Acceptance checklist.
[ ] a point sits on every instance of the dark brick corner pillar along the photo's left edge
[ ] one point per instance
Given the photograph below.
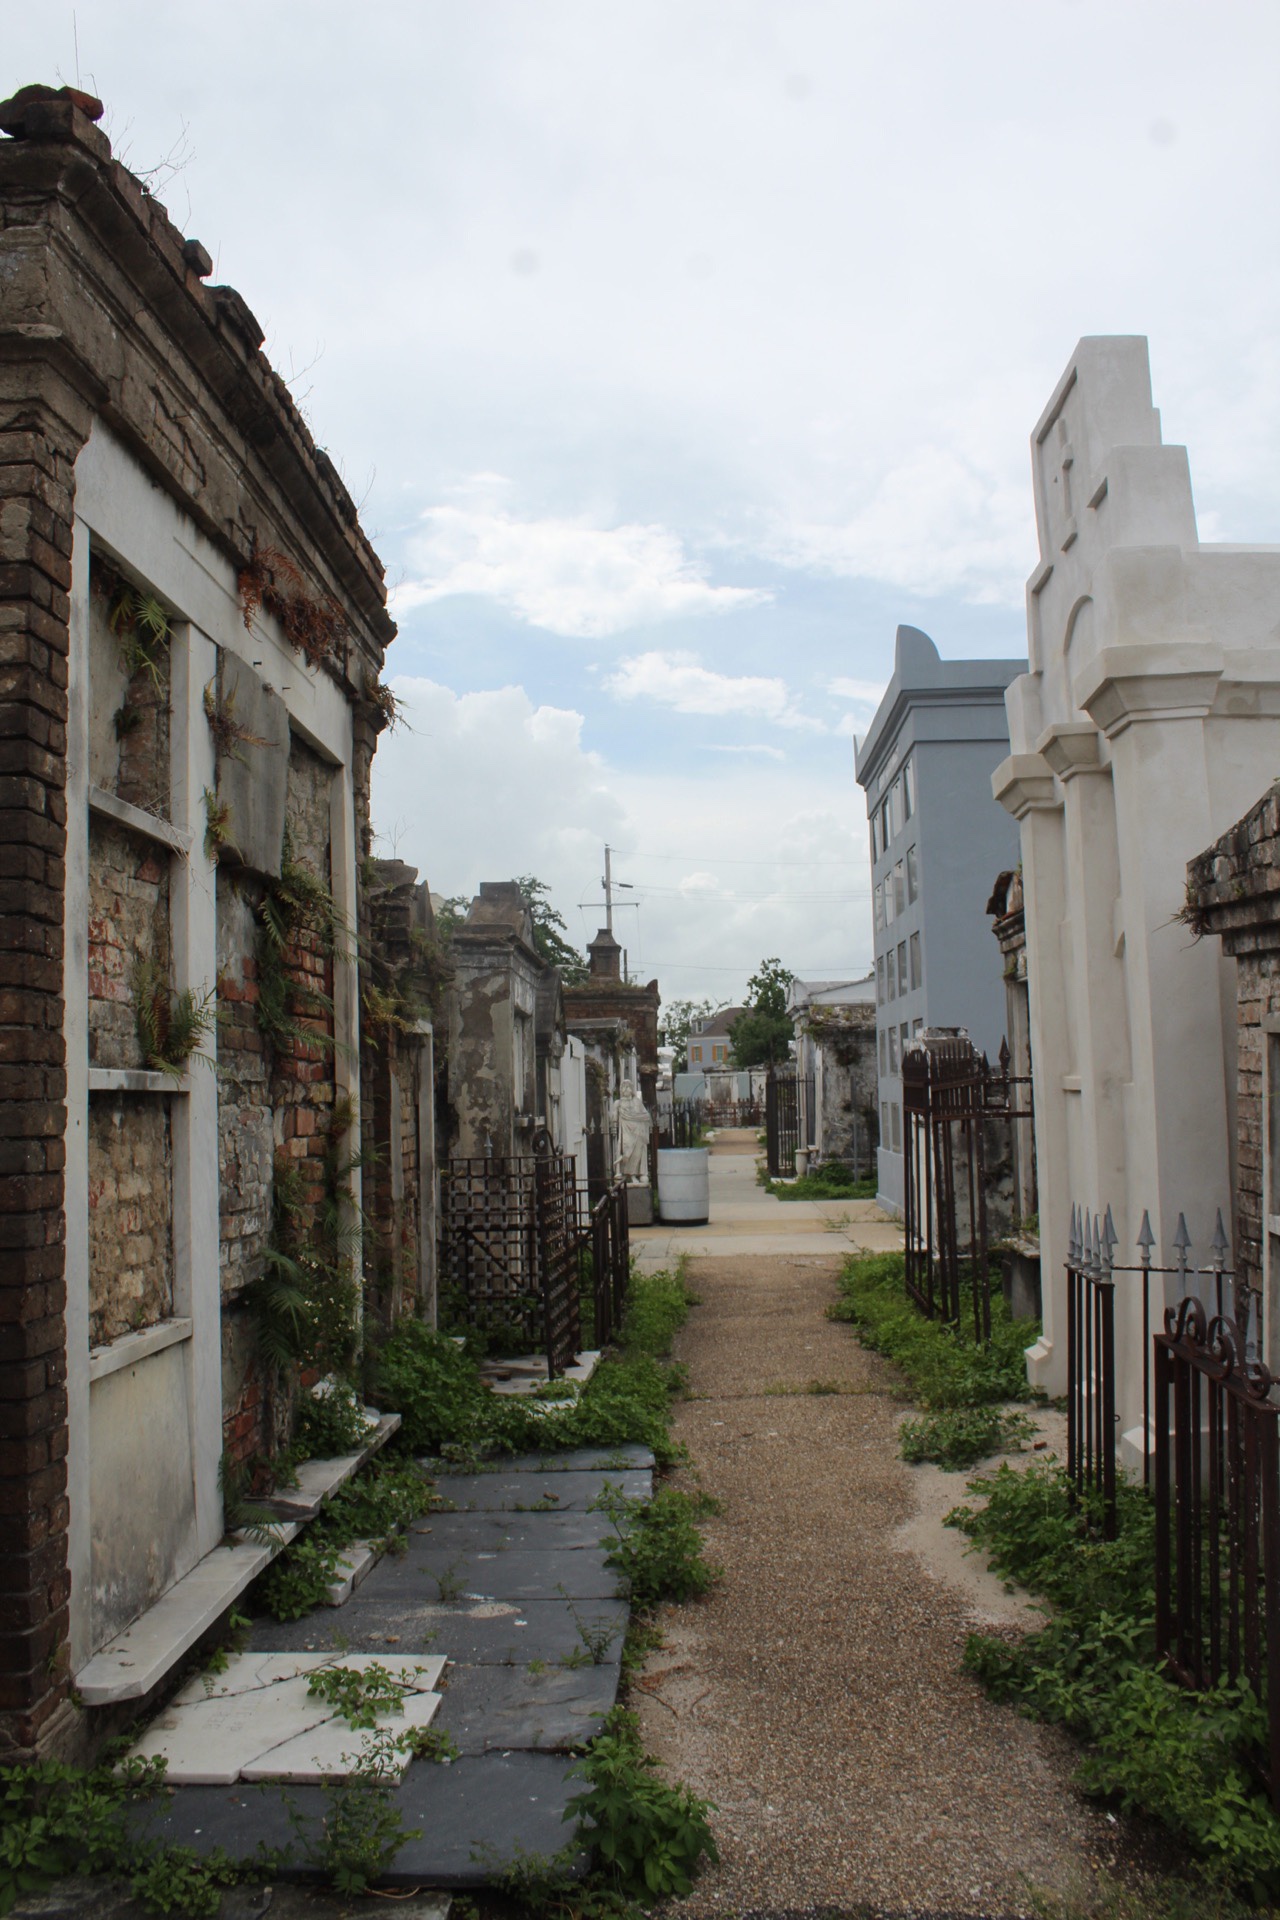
(43, 425)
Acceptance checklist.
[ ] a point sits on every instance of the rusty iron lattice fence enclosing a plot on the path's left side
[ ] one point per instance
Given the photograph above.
(510, 1251)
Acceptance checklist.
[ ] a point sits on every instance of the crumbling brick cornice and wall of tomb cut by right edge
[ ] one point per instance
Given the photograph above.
(1233, 890)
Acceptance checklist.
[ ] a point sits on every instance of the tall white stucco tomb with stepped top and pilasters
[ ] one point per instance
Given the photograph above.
(1143, 731)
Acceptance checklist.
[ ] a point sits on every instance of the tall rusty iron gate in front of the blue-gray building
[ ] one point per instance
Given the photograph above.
(951, 1097)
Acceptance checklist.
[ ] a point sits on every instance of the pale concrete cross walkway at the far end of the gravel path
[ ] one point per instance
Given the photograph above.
(747, 1220)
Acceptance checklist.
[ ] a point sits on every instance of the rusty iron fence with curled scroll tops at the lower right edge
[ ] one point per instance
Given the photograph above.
(1218, 1514)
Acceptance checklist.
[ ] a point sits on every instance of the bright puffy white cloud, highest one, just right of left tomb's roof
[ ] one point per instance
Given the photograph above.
(559, 575)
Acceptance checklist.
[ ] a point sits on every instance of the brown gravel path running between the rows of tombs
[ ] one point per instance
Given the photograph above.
(817, 1694)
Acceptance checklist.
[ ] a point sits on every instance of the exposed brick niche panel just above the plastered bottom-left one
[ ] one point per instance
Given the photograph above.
(130, 1214)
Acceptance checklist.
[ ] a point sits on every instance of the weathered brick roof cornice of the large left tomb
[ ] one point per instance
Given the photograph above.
(110, 291)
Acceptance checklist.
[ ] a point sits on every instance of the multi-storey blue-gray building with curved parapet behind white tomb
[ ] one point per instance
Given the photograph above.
(937, 844)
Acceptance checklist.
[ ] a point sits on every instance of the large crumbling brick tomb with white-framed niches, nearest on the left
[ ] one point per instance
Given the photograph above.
(191, 640)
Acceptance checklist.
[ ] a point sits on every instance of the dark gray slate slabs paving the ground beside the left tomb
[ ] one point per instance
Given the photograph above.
(511, 1587)
